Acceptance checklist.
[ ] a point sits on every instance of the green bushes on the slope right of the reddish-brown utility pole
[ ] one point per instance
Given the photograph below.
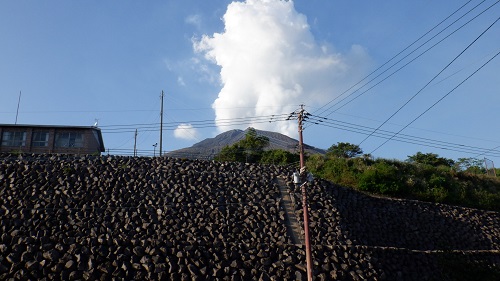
(424, 177)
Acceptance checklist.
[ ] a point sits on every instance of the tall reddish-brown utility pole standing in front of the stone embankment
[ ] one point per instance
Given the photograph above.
(304, 198)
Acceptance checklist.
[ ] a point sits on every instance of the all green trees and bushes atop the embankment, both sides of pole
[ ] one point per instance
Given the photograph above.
(424, 176)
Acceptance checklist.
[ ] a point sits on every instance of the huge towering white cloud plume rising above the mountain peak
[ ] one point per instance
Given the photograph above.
(270, 63)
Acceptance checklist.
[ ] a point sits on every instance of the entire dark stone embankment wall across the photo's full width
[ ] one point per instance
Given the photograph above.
(74, 218)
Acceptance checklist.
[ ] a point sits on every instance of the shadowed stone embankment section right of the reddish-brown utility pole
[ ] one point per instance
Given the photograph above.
(402, 239)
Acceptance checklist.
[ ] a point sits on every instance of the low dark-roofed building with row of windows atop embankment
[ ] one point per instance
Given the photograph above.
(51, 139)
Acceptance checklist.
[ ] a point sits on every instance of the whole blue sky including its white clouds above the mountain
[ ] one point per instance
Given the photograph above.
(232, 64)
